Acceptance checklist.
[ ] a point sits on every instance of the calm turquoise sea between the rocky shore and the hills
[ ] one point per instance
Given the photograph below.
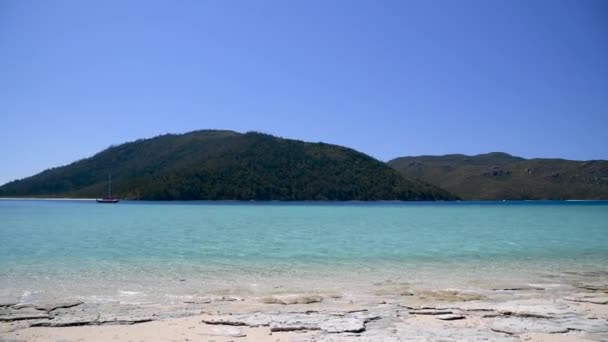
(160, 252)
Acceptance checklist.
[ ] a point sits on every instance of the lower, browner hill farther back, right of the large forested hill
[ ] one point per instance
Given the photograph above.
(502, 176)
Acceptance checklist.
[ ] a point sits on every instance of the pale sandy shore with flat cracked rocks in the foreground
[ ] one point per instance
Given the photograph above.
(392, 312)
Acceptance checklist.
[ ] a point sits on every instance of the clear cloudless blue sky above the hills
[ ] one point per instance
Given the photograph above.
(389, 78)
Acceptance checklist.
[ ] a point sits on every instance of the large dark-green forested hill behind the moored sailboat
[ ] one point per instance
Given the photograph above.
(225, 165)
